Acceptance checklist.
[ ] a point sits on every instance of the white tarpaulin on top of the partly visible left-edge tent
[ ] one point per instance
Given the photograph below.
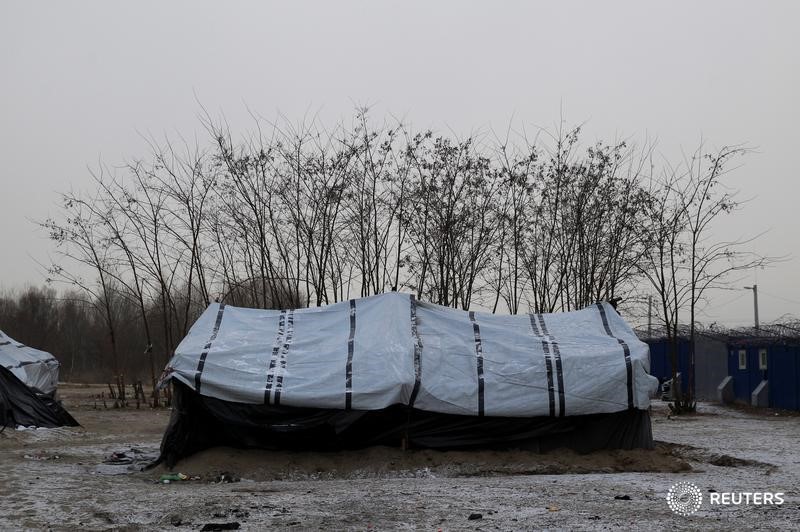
(37, 369)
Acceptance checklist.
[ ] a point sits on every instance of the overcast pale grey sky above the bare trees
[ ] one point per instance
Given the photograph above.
(81, 81)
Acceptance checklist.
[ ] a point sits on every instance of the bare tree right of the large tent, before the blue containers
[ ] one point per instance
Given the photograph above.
(684, 261)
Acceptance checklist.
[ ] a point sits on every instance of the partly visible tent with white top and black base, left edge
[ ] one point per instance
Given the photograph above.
(28, 380)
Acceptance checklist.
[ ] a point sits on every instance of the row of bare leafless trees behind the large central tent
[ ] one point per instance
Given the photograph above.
(302, 215)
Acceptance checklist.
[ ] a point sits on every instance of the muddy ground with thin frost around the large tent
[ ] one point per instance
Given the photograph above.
(62, 479)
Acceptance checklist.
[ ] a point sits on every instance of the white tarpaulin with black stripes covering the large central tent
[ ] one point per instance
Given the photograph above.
(370, 353)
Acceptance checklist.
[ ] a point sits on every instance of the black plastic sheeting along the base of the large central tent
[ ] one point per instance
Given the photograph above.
(199, 422)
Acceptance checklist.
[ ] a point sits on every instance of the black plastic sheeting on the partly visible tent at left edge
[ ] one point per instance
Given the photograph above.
(20, 405)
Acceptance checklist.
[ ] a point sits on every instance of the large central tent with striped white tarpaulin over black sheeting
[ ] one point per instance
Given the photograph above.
(391, 370)
